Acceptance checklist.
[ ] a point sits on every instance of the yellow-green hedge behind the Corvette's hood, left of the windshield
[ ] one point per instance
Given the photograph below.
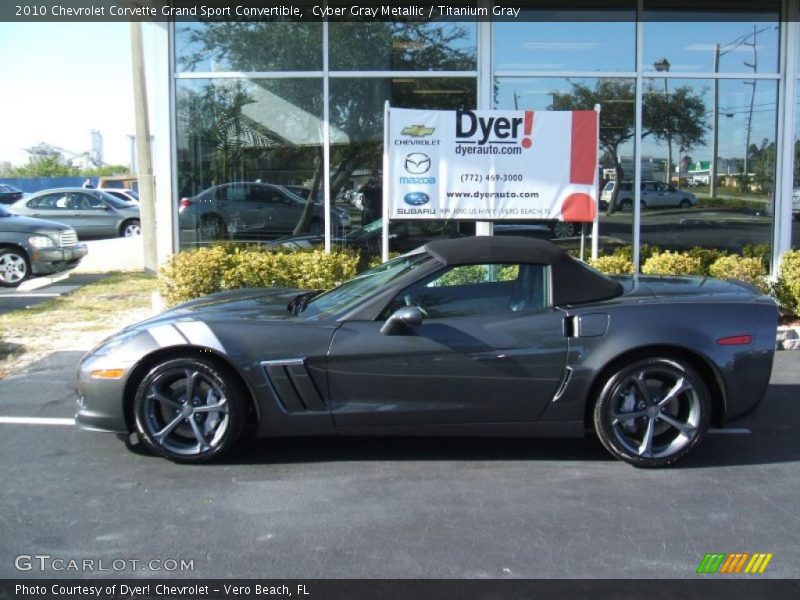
(204, 271)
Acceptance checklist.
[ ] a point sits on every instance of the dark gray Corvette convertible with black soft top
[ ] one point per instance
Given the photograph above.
(475, 336)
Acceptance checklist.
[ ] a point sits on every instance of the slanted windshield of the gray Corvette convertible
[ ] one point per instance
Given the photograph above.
(350, 293)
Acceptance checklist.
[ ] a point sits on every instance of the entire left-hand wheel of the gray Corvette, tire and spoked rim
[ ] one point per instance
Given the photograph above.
(189, 431)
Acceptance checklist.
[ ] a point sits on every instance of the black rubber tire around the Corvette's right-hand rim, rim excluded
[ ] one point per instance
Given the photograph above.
(602, 419)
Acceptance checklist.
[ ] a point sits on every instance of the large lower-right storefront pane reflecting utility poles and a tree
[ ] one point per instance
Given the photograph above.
(679, 209)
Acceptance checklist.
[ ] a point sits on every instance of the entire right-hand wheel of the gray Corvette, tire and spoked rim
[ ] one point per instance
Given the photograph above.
(663, 430)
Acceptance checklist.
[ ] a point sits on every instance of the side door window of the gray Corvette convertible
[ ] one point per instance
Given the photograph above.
(477, 290)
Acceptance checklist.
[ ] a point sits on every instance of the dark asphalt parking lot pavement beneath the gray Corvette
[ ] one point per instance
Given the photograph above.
(396, 508)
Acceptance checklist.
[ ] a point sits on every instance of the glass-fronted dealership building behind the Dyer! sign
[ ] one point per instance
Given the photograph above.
(698, 113)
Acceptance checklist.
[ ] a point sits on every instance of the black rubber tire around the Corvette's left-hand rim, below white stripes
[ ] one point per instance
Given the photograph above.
(233, 393)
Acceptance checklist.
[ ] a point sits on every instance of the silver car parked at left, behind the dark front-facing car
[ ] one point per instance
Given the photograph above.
(92, 213)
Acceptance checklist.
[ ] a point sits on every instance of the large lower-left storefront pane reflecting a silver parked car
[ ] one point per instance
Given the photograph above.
(239, 143)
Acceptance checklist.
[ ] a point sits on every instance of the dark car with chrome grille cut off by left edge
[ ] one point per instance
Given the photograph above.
(31, 247)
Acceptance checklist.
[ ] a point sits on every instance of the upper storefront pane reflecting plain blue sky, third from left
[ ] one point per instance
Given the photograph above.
(567, 40)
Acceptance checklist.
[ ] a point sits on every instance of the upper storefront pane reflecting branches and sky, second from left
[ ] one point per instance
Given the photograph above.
(403, 46)
